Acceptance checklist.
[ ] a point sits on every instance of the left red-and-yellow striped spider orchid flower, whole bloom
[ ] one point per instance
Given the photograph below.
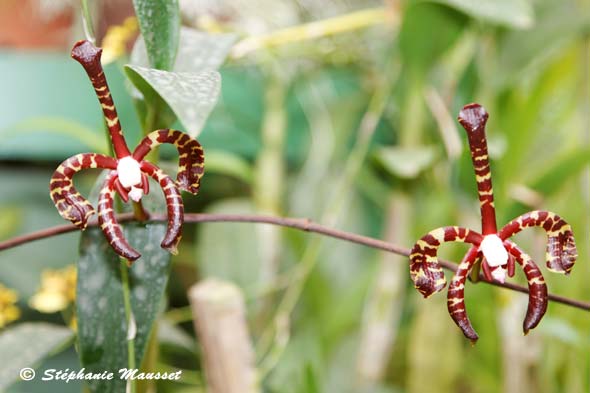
(129, 172)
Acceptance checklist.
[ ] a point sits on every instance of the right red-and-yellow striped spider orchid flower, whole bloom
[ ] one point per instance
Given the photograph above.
(493, 248)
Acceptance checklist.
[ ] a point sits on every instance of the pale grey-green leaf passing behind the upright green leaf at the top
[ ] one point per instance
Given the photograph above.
(197, 51)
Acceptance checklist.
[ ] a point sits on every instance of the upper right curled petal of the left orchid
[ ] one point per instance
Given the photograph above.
(191, 161)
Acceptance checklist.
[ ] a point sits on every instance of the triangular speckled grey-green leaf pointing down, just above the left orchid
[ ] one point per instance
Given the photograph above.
(191, 96)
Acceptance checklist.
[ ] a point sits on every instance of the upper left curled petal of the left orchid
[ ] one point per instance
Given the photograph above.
(69, 203)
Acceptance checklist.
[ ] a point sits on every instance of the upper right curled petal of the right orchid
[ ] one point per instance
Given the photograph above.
(561, 245)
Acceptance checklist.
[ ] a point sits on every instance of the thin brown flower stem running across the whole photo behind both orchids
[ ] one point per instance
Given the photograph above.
(295, 223)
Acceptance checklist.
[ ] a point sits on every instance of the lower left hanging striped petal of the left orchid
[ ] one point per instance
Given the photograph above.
(108, 221)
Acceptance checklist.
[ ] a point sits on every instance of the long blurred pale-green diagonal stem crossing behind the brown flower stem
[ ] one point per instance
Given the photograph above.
(338, 201)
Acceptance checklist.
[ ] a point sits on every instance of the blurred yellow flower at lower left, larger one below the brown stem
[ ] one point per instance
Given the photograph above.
(58, 290)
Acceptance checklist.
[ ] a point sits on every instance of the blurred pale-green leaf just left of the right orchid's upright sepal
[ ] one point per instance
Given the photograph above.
(406, 163)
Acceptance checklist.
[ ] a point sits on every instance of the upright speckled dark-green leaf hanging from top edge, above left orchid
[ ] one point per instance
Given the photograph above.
(159, 22)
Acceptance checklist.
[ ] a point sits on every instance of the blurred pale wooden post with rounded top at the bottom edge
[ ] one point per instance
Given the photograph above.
(220, 322)
